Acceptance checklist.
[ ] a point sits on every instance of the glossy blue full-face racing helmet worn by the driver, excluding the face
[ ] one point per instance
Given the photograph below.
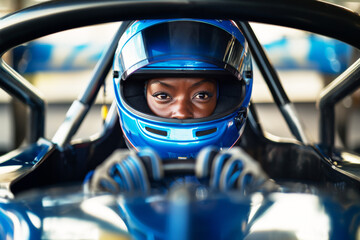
(182, 47)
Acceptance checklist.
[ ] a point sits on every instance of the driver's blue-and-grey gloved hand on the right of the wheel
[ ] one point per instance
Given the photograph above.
(229, 169)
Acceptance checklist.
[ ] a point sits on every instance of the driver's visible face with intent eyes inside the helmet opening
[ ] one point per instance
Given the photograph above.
(181, 98)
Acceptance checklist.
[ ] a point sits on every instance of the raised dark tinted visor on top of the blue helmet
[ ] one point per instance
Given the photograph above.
(195, 45)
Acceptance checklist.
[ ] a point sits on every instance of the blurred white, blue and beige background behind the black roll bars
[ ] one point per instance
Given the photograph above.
(60, 66)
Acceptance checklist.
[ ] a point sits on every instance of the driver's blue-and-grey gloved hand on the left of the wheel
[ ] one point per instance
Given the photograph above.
(126, 171)
